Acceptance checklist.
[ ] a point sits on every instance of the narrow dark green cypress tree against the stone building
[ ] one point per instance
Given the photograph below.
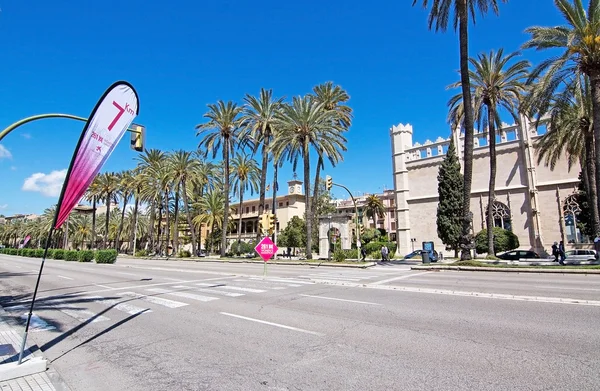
(450, 192)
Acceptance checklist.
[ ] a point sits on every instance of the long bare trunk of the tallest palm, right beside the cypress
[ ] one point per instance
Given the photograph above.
(466, 236)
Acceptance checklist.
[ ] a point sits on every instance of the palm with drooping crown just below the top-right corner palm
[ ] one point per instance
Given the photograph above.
(570, 131)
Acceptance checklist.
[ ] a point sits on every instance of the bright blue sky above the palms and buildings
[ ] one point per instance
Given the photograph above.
(60, 56)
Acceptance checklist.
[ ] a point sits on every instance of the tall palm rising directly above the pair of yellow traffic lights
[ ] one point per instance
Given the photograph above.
(258, 120)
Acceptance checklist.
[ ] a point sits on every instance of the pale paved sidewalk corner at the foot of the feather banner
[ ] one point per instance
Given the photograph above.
(31, 374)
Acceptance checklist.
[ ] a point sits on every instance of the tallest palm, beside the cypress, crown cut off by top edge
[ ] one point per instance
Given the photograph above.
(441, 11)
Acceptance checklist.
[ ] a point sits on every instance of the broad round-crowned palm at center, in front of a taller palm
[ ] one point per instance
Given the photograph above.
(300, 125)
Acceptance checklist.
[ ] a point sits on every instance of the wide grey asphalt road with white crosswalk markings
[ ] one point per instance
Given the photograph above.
(173, 325)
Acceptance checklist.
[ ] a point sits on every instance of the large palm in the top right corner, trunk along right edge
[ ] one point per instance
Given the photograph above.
(580, 40)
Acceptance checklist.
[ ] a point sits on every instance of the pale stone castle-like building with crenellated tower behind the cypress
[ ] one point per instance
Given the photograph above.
(533, 201)
